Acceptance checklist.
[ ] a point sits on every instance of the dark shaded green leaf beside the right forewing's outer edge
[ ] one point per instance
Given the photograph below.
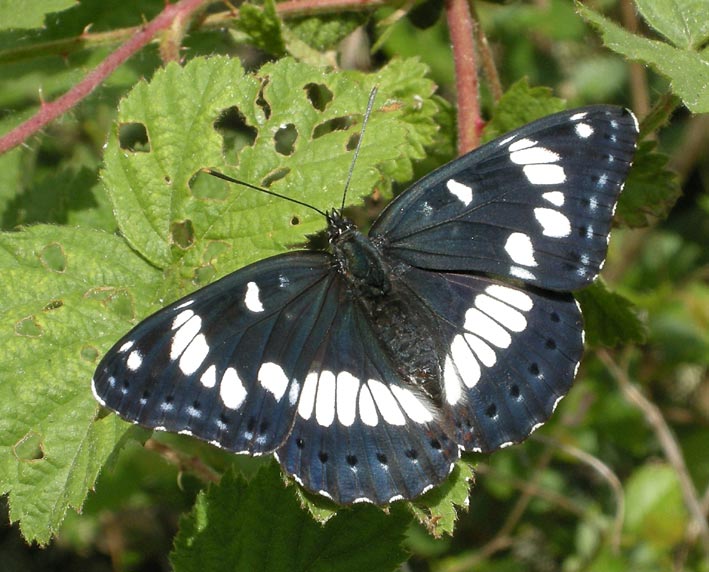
(650, 190)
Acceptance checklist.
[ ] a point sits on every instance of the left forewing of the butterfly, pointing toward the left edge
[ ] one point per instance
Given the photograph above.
(225, 363)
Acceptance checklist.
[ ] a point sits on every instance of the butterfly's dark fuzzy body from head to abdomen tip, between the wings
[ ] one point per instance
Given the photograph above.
(398, 321)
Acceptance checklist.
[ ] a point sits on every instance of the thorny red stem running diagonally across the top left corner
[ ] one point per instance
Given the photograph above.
(50, 111)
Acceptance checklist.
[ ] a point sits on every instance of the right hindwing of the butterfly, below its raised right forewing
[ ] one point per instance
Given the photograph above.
(509, 353)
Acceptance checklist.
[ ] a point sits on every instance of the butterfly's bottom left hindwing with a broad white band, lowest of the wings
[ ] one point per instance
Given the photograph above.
(360, 433)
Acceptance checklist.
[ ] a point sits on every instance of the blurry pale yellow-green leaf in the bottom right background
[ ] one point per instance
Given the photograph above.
(655, 511)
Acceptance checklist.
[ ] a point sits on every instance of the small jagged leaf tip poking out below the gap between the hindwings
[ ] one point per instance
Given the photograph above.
(438, 509)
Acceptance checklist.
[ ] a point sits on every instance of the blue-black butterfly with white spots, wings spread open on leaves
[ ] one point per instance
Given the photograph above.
(367, 369)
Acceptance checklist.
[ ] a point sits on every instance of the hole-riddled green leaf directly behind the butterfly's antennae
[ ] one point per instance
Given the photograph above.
(152, 190)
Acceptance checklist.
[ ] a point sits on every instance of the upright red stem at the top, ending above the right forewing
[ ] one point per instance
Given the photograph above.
(460, 25)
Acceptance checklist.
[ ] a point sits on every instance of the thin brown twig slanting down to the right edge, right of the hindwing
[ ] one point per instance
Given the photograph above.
(668, 443)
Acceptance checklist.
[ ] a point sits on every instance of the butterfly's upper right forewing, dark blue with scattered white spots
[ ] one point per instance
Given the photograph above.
(534, 205)
